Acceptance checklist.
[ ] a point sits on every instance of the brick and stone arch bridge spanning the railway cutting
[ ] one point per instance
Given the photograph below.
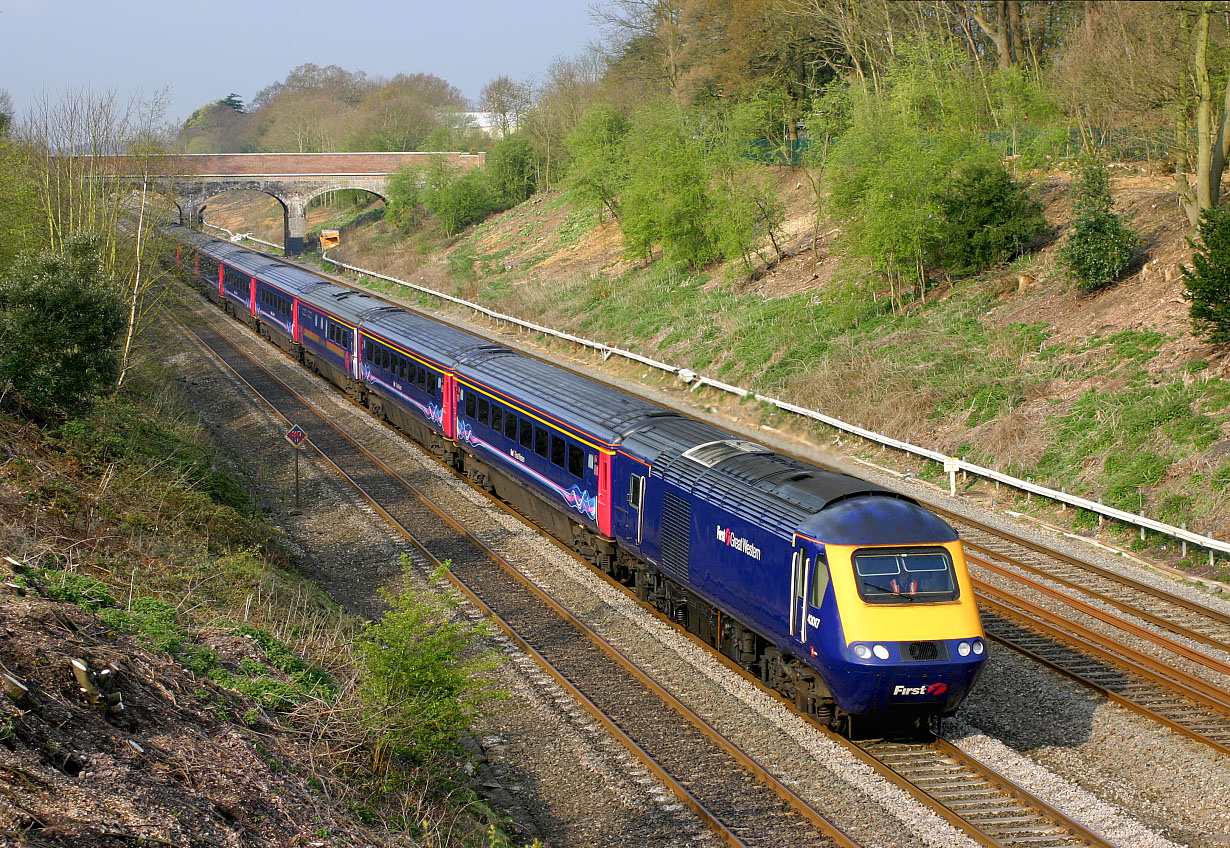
(293, 179)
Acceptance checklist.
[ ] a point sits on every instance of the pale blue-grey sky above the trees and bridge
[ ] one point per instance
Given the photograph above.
(204, 51)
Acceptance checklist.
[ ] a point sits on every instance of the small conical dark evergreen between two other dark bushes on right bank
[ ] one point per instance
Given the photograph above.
(1100, 247)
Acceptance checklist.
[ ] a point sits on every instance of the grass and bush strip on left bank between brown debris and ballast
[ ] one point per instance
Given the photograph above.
(129, 515)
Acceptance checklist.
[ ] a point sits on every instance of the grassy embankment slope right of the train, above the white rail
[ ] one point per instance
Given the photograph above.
(1095, 418)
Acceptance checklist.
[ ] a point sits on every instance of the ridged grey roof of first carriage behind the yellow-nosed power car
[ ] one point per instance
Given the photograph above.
(570, 399)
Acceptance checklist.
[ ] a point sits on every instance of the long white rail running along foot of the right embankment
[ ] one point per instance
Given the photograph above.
(951, 465)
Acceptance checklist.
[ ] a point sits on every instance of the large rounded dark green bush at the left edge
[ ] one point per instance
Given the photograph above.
(62, 321)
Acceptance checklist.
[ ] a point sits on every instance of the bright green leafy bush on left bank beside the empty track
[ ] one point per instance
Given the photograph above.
(423, 679)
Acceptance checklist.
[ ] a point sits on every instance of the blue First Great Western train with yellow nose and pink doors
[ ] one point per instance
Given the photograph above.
(852, 600)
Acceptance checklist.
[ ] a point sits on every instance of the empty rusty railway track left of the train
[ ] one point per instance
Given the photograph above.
(741, 802)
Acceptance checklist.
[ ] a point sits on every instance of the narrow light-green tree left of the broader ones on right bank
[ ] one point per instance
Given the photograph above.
(600, 159)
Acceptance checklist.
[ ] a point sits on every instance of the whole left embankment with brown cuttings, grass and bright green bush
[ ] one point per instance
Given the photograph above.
(129, 515)
